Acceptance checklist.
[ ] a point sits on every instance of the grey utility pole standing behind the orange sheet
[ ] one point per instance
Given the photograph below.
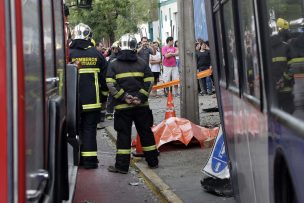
(186, 40)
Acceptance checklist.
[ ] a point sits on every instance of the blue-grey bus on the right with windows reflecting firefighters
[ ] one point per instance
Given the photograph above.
(258, 65)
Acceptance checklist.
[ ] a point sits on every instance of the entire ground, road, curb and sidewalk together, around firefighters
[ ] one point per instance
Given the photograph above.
(176, 180)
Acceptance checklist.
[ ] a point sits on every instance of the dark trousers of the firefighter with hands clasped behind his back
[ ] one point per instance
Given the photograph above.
(143, 119)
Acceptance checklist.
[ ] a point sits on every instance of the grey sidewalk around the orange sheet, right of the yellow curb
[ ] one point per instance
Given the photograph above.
(180, 166)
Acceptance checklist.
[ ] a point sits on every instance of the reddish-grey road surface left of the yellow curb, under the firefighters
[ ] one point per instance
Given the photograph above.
(100, 186)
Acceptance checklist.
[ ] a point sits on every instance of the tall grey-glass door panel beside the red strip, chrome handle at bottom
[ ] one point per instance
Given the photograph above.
(36, 175)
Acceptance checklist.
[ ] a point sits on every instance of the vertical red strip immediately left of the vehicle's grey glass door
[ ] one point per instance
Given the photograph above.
(21, 103)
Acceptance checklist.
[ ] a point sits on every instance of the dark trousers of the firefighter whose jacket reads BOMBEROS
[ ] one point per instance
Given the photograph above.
(88, 131)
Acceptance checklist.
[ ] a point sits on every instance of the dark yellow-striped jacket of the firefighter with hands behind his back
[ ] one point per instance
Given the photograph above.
(132, 77)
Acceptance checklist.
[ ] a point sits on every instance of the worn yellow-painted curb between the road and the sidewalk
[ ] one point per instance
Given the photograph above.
(153, 181)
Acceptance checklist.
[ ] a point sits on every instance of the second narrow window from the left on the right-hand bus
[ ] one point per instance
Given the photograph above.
(230, 44)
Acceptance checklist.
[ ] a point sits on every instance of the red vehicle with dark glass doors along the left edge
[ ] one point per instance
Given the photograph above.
(34, 120)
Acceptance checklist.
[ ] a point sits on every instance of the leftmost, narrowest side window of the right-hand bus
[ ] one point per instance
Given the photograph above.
(221, 63)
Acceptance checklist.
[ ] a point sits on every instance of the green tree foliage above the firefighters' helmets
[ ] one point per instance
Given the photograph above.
(110, 19)
